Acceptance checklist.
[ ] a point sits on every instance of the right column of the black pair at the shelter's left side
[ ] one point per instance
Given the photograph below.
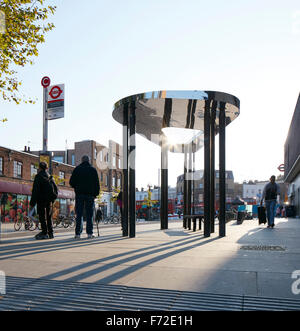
(132, 188)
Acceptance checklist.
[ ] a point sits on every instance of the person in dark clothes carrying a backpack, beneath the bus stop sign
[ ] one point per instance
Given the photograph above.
(44, 192)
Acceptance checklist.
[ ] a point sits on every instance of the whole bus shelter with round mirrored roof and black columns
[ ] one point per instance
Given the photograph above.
(152, 114)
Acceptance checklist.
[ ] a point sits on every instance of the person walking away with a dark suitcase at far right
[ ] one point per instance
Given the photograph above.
(270, 193)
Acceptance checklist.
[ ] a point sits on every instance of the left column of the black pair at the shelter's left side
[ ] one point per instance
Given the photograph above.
(125, 172)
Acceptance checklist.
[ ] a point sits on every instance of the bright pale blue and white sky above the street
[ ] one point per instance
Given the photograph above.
(104, 51)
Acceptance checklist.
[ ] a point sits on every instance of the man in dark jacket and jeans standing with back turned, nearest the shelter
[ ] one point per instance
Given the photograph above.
(85, 182)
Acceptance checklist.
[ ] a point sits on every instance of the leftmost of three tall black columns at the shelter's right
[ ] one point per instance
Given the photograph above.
(207, 168)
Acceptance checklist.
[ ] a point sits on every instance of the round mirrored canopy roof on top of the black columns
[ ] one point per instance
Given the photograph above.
(161, 112)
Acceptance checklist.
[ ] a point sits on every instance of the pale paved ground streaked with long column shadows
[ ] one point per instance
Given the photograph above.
(252, 261)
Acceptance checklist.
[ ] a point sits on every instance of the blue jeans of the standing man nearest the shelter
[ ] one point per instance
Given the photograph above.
(84, 202)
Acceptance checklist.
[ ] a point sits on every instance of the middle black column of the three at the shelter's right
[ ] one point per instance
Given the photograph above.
(212, 166)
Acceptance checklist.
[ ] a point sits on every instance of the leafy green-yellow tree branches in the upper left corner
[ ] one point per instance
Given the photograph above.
(22, 28)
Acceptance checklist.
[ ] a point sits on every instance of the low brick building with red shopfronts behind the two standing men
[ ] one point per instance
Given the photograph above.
(17, 171)
